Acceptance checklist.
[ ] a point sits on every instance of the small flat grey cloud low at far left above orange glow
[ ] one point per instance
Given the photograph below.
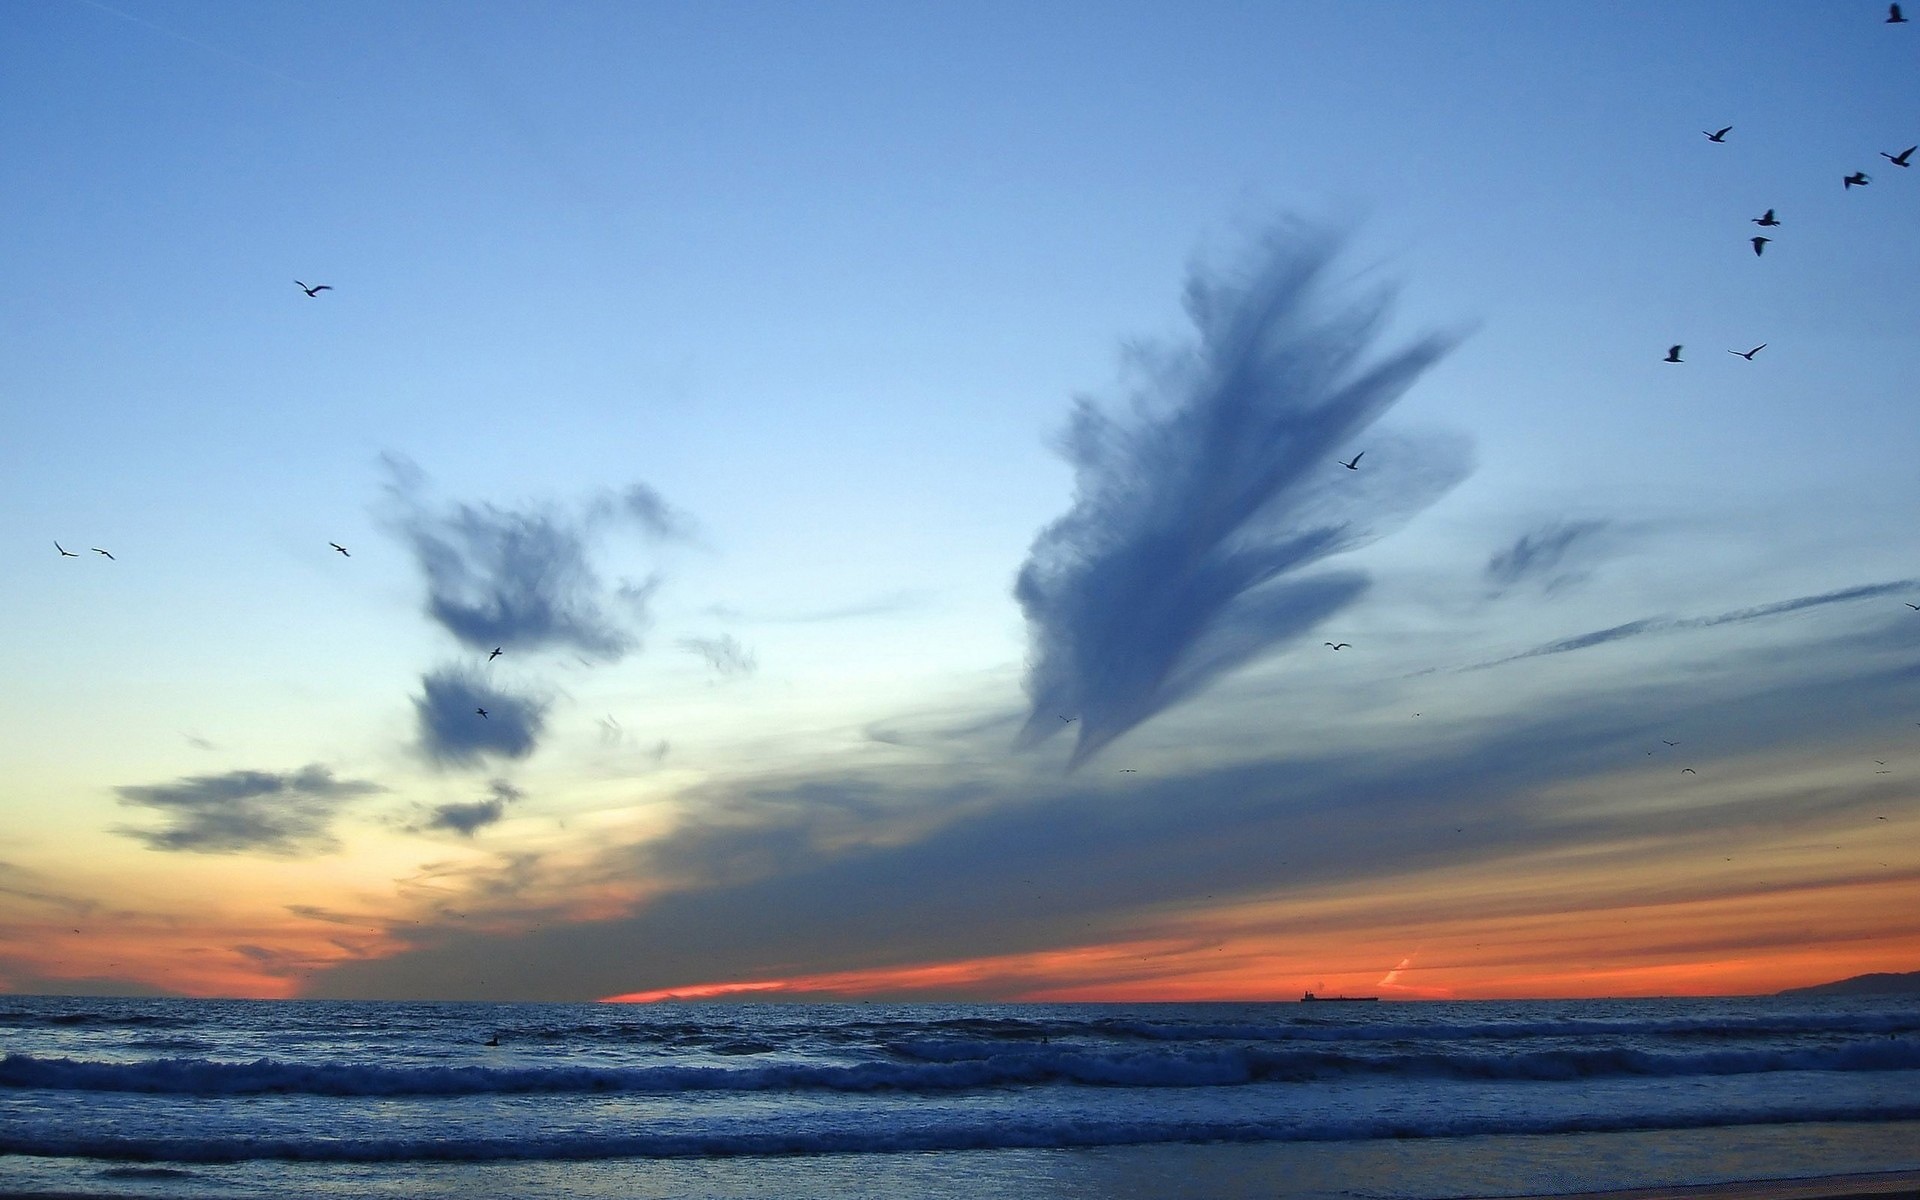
(247, 811)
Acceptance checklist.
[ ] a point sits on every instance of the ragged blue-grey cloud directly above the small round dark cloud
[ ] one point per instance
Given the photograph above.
(525, 577)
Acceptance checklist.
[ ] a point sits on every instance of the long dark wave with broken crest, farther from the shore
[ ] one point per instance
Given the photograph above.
(938, 1068)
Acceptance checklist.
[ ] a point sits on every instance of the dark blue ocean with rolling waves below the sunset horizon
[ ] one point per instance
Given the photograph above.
(252, 1099)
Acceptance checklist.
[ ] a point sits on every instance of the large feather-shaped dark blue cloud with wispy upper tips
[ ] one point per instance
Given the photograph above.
(1197, 512)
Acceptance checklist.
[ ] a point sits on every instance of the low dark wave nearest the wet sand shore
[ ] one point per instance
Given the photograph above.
(992, 1136)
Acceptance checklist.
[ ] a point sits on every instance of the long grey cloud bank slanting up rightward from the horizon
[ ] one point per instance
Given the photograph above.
(857, 871)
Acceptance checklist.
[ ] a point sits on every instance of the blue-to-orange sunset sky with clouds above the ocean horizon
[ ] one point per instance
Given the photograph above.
(972, 502)
